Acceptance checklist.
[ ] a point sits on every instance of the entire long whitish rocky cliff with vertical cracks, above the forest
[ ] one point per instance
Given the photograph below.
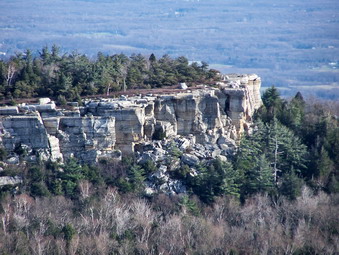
(208, 117)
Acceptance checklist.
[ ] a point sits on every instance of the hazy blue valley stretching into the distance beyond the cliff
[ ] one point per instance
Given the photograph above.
(293, 45)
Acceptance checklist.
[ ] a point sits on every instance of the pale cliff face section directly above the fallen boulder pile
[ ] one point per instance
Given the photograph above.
(196, 113)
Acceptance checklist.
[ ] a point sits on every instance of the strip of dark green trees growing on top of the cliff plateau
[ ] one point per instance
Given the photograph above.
(71, 76)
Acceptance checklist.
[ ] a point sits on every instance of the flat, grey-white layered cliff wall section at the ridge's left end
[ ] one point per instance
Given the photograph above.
(85, 138)
